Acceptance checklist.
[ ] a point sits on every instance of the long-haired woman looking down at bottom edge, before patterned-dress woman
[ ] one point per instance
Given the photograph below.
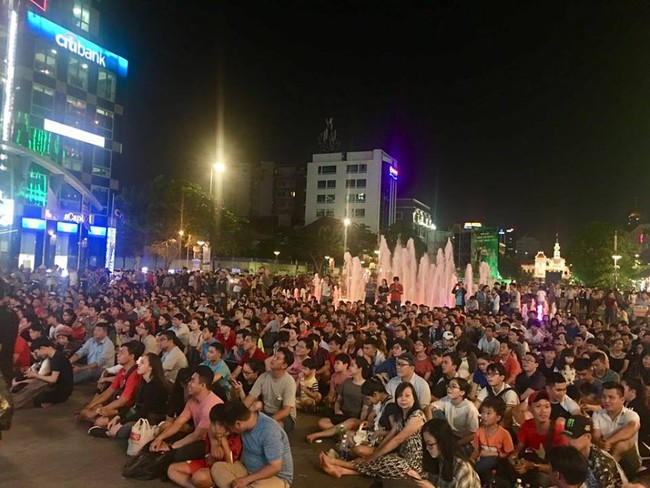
(452, 469)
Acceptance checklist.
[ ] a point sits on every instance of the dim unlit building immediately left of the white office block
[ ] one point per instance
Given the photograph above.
(289, 195)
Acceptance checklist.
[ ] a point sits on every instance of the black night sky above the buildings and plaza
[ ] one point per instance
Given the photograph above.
(527, 114)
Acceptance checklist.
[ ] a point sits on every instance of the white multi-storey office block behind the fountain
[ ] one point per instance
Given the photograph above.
(360, 185)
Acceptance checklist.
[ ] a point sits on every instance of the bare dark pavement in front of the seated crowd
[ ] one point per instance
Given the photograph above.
(49, 448)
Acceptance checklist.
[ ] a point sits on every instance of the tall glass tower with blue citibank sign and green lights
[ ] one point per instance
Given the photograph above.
(62, 108)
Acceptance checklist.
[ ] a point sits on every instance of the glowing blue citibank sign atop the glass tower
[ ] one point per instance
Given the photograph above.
(84, 48)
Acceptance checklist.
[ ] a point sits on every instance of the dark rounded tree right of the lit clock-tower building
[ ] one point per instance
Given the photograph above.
(590, 252)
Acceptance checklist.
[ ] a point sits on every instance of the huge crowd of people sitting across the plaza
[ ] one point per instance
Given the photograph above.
(486, 392)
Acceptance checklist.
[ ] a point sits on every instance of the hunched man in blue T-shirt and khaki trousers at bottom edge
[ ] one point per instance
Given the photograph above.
(266, 460)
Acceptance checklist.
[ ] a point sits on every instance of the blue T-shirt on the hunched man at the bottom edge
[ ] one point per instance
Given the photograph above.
(267, 442)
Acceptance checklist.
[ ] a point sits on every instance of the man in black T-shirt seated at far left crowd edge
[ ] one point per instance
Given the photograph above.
(58, 383)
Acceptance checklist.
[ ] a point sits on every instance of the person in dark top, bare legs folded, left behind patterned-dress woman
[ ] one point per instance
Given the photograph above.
(349, 405)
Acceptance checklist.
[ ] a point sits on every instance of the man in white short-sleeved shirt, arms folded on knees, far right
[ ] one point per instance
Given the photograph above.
(616, 428)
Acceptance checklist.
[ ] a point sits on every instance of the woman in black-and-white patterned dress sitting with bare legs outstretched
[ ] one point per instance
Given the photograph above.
(399, 452)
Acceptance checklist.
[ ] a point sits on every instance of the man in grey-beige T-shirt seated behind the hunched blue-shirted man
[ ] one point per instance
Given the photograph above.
(277, 390)
